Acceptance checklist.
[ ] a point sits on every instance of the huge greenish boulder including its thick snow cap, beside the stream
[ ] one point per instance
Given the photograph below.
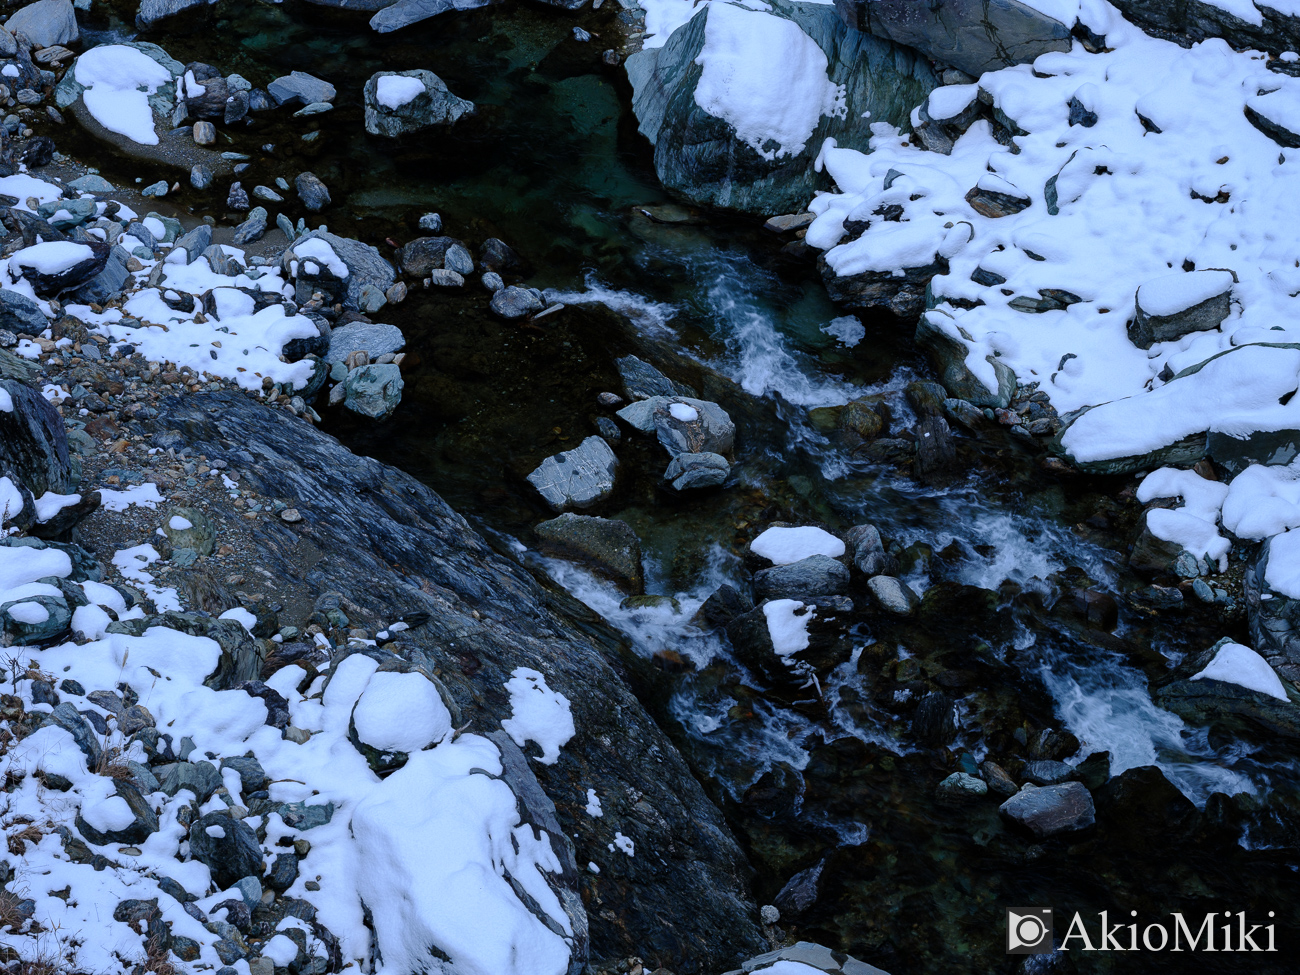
(727, 155)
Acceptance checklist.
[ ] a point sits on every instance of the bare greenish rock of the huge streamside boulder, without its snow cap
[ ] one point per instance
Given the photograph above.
(700, 158)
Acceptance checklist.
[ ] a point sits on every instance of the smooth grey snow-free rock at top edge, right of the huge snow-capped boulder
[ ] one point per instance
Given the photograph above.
(974, 36)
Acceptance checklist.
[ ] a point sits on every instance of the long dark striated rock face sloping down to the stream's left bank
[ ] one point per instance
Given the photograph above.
(691, 899)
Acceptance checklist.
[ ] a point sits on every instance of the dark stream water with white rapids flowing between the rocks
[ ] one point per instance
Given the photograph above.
(826, 779)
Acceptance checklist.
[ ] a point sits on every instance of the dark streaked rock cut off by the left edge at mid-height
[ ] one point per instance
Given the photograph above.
(33, 441)
